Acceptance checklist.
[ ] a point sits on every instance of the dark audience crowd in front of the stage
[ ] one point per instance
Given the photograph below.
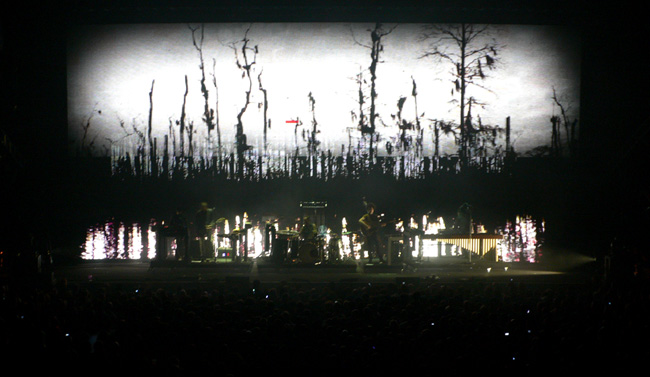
(464, 329)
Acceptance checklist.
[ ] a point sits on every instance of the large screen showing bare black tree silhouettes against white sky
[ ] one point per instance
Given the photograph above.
(271, 90)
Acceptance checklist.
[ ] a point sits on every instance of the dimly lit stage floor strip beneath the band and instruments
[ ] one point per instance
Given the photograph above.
(443, 270)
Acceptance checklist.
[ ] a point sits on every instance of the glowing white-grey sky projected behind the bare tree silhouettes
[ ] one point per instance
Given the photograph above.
(111, 69)
